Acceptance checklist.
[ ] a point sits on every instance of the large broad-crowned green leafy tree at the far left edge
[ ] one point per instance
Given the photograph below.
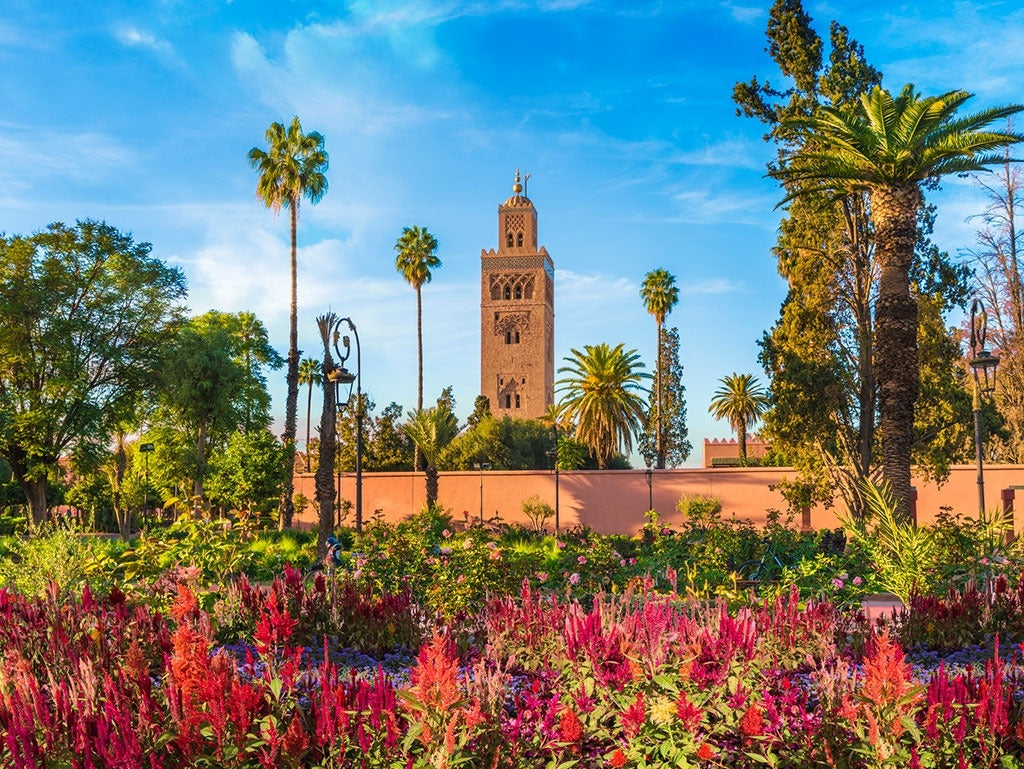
(84, 314)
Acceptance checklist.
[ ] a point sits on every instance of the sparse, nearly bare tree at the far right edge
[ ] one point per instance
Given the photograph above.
(997, 262)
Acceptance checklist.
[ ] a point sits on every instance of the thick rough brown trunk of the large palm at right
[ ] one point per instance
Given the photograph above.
(894, 212)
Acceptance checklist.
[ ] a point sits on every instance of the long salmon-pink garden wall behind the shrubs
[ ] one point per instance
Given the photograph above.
(616, 501)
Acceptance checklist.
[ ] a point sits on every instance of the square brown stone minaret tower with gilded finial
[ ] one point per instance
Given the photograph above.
(518, 315)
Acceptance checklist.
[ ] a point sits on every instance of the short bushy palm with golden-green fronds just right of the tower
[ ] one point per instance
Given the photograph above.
(602, 399)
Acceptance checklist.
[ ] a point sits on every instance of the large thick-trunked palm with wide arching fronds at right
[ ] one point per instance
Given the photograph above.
(888, 147)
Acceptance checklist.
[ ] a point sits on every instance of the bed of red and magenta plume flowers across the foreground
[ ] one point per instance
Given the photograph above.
(637, 679)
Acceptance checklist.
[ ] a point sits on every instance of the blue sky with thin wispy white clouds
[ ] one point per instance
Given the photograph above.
(141, 114)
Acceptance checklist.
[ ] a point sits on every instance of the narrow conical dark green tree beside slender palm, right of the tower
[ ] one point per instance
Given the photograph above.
(669, 387)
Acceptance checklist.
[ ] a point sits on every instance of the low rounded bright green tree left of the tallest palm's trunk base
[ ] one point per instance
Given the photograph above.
(249, 474)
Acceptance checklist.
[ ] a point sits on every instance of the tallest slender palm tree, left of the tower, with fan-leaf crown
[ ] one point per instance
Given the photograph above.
(293, 168)
